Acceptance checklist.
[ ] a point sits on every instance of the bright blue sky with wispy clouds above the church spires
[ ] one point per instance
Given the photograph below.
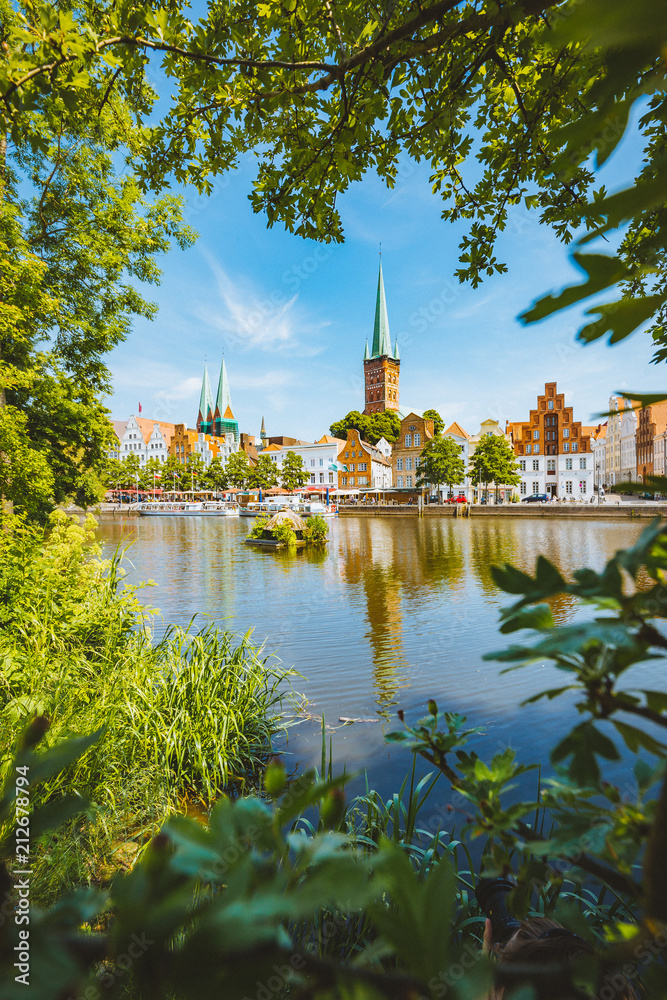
(292, 316)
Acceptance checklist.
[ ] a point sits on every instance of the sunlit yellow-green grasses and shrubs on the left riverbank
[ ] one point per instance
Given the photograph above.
(180, 719)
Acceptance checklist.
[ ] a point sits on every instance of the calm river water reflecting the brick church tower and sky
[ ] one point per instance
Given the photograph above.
(395, 611)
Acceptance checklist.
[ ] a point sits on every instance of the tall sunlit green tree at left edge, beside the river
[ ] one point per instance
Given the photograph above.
(77, 238)
